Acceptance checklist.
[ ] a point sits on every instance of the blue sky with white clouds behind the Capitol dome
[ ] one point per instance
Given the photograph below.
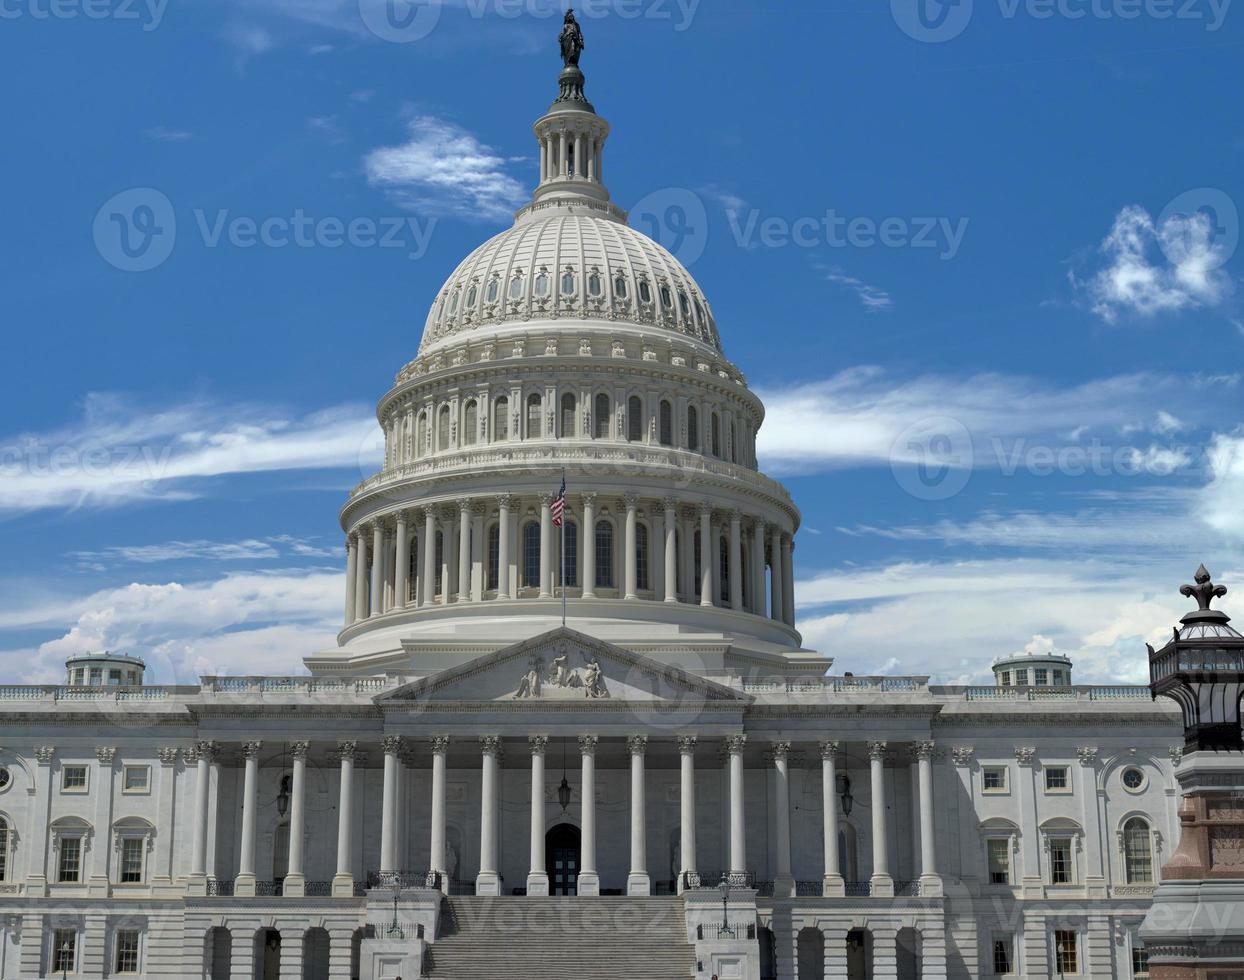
(996, 238)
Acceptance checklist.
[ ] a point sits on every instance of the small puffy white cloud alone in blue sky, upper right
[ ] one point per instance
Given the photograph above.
(1156, 268)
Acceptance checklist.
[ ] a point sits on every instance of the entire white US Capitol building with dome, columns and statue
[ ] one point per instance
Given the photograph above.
(667, 785)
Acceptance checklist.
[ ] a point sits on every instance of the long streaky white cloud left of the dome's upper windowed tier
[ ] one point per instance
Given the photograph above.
(121, 453)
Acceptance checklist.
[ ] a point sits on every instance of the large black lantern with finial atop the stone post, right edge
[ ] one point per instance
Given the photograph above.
(1202, 670)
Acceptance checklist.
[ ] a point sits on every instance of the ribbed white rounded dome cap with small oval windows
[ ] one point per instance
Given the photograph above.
(570, 259)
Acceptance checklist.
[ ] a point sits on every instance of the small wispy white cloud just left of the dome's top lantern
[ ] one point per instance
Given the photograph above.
(445, 170)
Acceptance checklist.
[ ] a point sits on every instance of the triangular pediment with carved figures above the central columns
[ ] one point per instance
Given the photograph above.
(564, 666)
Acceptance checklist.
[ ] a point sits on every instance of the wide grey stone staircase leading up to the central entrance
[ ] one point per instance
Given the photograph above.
(562, 940)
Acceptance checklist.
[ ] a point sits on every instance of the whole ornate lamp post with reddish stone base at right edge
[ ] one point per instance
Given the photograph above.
(1201, 668)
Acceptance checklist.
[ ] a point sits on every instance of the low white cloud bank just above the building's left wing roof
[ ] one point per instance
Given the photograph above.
(242, 624)
